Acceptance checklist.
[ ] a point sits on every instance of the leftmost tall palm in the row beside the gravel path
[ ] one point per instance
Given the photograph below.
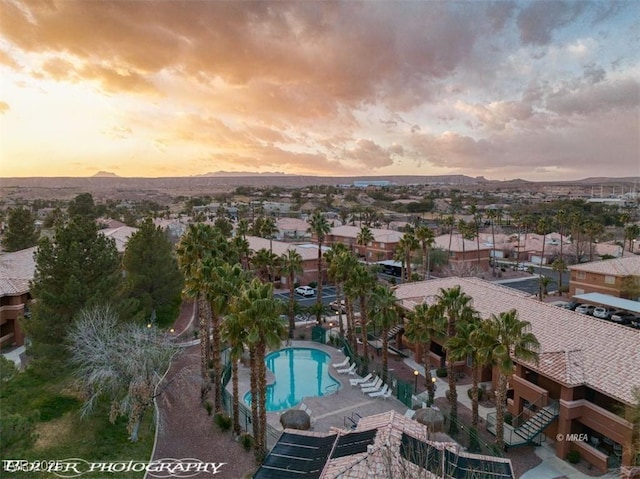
(194, 246)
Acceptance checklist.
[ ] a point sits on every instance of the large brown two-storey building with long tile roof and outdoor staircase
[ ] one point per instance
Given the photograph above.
(586, 372)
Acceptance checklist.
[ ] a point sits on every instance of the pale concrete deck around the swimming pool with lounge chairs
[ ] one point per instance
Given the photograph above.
(330, 410)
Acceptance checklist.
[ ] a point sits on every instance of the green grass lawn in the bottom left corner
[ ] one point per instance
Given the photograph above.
(40, 421)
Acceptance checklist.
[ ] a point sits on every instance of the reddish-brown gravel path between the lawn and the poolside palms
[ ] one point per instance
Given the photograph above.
(185, 430)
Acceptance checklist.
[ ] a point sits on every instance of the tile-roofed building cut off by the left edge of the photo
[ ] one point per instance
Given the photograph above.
(16, 272)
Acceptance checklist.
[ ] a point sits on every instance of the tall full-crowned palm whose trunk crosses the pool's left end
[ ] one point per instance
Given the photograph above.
(260, 313)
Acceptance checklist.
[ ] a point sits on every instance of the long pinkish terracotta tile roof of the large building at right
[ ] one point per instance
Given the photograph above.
(572, 345)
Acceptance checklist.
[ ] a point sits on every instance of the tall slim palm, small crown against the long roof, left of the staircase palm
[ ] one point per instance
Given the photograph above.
(454, 305)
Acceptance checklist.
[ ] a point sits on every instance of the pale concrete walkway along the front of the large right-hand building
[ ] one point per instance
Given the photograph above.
(551, 466)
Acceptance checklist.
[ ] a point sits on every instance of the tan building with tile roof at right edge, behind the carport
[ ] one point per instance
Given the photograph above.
(609, 276)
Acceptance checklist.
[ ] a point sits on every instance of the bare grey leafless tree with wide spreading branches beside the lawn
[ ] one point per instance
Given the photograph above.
(122, 362)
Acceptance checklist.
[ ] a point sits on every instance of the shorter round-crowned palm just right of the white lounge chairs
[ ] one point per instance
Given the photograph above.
(422, 327)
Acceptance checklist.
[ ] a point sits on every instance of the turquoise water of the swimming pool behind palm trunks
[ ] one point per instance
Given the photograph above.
(299, 373)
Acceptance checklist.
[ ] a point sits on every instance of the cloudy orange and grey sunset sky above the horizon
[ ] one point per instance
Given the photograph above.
(543, 90)
